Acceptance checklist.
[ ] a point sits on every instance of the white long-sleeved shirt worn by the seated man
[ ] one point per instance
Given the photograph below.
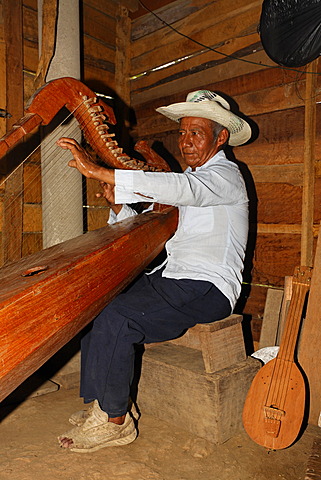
(210, 240)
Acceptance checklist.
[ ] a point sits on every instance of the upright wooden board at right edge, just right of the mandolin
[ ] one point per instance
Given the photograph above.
(309, 354)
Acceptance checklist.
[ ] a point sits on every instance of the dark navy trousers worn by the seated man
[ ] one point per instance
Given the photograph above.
(154, 309)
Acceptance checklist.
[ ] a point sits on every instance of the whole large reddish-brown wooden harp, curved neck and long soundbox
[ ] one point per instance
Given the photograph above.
(48, 297)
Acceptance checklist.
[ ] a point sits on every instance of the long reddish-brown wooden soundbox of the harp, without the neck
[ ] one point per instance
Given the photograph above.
(40, 313)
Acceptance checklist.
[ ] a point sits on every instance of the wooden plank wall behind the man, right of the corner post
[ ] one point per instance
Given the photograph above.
(273, 97)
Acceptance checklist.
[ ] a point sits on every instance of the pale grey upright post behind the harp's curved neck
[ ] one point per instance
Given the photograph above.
(61, 186)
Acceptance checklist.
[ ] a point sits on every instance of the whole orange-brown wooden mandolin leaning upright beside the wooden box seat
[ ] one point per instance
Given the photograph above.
(274, 407)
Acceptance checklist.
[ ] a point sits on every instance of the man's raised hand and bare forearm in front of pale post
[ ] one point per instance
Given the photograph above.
(83, 162)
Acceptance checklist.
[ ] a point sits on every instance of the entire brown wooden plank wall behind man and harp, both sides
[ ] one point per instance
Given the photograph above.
(238, 66)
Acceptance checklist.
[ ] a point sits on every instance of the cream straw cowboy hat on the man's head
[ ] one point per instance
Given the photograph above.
(206, 104)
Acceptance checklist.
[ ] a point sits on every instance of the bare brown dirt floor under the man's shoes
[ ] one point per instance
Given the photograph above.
(29, 450)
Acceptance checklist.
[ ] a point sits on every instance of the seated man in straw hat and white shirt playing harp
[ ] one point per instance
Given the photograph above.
(200, 280)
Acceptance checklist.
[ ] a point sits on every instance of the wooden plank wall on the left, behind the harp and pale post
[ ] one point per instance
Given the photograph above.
(98, 49)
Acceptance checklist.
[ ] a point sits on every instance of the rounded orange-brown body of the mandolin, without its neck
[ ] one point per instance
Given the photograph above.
(274, 407)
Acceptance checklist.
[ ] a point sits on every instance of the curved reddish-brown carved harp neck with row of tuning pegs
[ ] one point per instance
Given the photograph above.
(93, 116)
